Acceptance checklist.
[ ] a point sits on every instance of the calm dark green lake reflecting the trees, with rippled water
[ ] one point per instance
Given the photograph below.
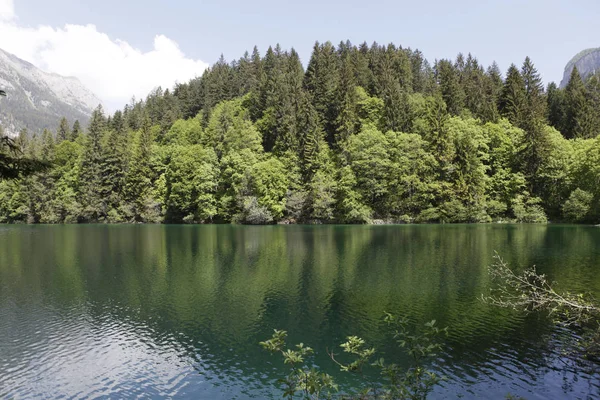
(160, 311)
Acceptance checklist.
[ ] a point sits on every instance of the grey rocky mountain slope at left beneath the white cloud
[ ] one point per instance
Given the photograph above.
(37, 99)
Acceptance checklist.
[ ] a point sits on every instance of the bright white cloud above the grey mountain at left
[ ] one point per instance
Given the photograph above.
(112, 69)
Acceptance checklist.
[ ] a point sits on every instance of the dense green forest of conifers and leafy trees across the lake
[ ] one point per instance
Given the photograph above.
(364, 134)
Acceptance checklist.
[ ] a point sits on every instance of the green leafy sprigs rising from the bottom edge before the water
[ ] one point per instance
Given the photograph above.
(415, 382)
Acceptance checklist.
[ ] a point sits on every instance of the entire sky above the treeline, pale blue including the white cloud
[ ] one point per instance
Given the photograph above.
(125, 48)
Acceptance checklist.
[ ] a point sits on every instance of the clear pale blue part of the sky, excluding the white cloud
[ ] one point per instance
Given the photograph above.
(550, 31)
